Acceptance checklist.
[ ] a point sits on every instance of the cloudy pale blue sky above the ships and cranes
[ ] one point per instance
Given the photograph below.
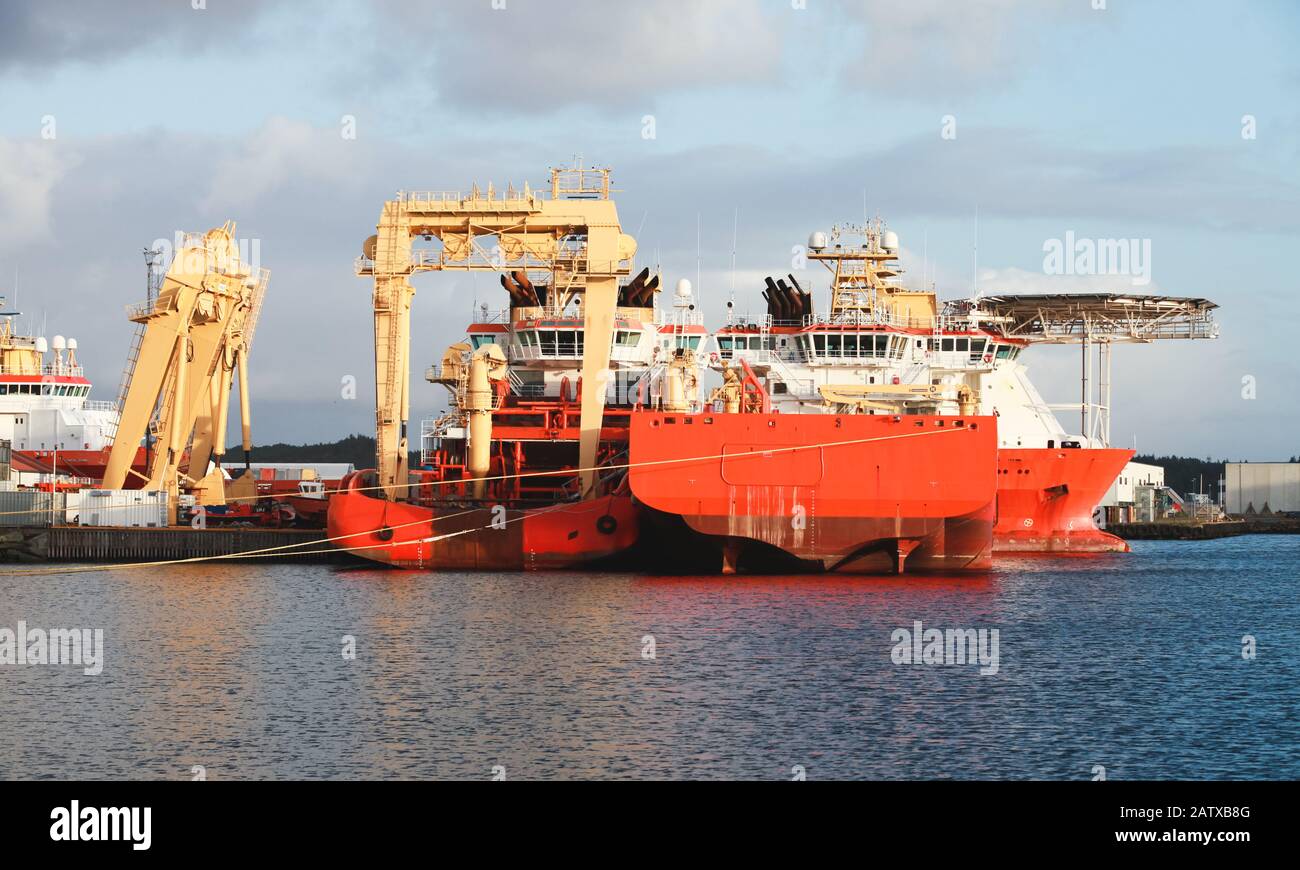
(980, 131)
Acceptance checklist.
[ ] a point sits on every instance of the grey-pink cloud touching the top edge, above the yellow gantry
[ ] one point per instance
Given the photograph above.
(534, 57)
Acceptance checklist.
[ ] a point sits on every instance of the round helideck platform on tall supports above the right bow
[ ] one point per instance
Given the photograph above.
(1091, 321)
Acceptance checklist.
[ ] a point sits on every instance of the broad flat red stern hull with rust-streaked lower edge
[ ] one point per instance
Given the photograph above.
(856, 494)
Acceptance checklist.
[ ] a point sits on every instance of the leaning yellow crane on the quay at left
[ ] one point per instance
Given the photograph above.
(192, 341)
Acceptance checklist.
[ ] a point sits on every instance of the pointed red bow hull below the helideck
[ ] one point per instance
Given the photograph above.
(1046, 499)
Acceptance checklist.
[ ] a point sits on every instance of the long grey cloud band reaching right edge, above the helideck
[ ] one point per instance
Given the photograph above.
(1007, 174)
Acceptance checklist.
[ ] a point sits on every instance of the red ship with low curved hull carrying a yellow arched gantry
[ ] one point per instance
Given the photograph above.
(526, 470)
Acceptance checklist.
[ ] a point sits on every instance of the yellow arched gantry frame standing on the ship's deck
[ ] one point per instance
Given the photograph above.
(573, 237)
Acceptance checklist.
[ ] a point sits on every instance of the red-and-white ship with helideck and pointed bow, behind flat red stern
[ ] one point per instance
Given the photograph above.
(882, 348)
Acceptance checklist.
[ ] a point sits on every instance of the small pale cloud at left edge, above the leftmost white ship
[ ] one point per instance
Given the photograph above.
(29, 174)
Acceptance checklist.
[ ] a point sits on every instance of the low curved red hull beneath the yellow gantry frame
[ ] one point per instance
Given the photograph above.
(480, 538)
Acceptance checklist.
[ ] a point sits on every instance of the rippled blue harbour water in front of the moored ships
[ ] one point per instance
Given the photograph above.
(1132, 663)
